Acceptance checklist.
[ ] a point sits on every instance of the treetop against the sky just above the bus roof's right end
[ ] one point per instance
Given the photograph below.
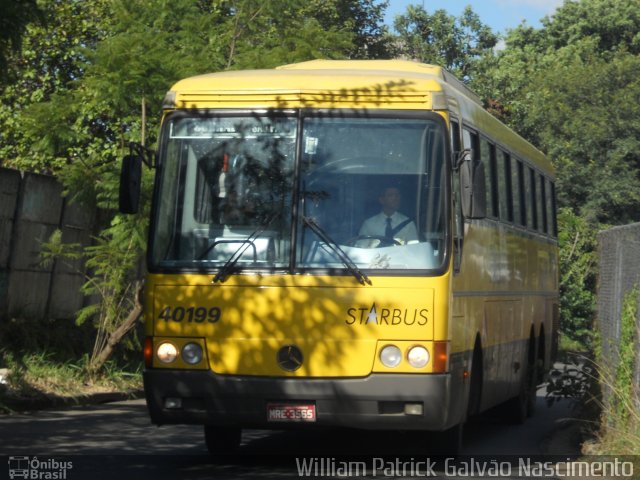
(442, 39)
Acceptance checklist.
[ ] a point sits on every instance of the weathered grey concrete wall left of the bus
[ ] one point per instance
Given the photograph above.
(31, 209)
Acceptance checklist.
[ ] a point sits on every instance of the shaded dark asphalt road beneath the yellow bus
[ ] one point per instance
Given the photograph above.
(117, 441)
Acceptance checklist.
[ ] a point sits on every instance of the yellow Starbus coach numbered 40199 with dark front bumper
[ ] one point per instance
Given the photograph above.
(343, 243)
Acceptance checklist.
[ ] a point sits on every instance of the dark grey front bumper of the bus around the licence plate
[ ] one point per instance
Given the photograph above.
(373, 402)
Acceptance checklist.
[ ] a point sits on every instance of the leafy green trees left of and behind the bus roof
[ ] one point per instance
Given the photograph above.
(76, 109)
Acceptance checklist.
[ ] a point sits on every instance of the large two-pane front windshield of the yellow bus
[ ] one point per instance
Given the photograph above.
(303, 191)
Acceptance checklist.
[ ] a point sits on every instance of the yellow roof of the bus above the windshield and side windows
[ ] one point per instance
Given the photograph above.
(348, 84)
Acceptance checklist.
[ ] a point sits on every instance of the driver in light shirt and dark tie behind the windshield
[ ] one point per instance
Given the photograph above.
(390, 223)
